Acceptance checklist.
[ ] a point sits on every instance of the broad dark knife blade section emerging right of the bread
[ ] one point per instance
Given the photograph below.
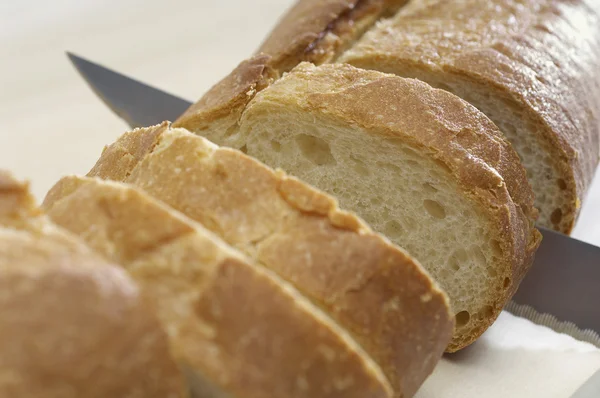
(564, 281)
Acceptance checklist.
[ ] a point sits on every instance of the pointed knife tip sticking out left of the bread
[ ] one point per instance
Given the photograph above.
(137, 103)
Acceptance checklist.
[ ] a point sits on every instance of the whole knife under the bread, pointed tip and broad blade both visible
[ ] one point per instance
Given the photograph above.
(562, 289)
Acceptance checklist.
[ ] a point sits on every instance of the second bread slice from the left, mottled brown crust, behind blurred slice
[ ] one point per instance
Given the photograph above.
(239, 330)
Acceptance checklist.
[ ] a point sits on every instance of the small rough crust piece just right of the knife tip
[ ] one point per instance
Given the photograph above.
(225, 102)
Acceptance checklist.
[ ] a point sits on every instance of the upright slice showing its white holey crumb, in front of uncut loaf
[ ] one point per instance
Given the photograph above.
(420, 165)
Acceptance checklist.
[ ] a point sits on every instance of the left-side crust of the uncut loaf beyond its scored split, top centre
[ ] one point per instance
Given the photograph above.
(317, 30)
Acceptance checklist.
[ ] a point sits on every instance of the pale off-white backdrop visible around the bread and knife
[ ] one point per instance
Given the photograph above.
(51, 125)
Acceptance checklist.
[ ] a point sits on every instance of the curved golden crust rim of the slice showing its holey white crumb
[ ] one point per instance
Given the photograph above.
(459, 137)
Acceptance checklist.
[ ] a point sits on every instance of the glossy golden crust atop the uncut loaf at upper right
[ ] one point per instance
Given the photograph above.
(541, 55)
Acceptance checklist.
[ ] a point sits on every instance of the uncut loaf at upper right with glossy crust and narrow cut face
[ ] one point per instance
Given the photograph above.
(531, 66)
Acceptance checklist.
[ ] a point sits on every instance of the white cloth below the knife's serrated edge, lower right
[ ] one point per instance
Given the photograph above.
(515, 358)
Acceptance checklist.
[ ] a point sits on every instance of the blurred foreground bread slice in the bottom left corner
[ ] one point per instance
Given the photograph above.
(71, 324)
